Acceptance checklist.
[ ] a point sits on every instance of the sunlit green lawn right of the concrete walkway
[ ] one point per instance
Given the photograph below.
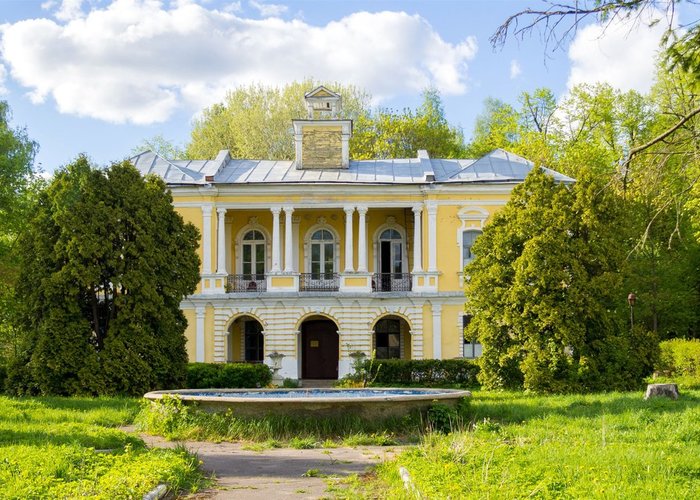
(516, 445)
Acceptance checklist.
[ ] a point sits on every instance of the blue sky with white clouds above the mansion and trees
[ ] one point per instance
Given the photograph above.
(99, 76)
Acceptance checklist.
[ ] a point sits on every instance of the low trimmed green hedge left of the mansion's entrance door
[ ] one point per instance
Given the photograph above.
(227, 375)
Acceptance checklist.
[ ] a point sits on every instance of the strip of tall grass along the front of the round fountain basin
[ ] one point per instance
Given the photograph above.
(171, 418)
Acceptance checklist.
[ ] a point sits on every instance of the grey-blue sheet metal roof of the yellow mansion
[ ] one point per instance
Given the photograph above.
(498, 166)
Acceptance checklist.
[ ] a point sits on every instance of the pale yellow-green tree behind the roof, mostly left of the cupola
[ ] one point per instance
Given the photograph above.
(255, 122)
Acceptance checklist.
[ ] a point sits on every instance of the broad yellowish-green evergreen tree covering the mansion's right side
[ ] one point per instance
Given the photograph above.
(545, 291)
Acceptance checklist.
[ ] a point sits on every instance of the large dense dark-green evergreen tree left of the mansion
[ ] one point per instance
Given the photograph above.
(104, 265)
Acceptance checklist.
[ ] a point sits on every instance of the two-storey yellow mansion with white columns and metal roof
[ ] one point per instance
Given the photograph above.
(318, 259)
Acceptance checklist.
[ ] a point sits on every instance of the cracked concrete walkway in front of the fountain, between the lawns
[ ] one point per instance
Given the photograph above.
(276, 473)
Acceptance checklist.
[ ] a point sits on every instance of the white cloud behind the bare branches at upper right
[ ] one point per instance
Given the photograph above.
(619, 54)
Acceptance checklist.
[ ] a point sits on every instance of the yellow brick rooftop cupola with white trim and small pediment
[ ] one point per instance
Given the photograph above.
(322, 140)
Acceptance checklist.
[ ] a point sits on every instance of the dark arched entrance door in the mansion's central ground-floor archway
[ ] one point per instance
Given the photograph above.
(319, 349)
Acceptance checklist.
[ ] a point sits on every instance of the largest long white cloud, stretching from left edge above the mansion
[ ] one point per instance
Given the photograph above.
(138, 61)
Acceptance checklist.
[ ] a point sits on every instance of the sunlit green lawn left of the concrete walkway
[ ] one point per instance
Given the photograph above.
(70, 447)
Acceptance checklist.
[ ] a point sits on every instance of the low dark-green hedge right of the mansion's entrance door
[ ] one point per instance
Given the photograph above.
(426, 372)
